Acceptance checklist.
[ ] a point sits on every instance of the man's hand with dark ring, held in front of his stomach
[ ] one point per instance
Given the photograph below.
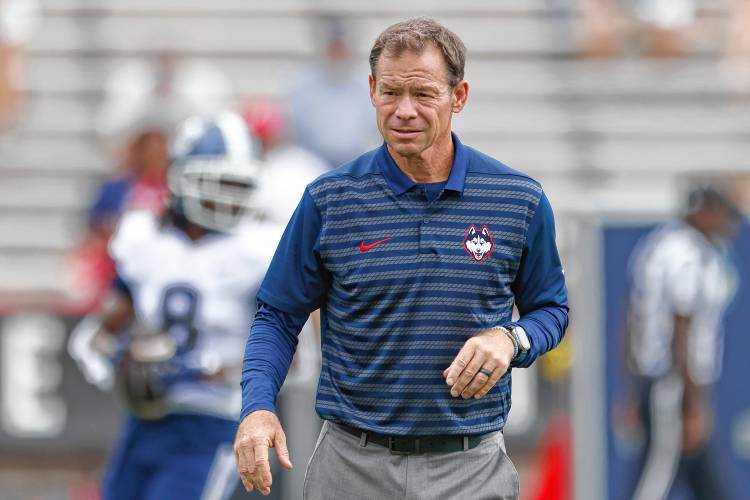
(491, 351)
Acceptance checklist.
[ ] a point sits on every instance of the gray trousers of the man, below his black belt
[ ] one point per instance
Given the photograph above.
(341, 469)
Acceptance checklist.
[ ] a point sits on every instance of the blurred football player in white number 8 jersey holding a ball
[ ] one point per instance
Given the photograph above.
(184, 298)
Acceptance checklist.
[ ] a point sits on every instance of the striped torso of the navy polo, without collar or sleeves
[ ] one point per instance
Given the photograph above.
(397, 314)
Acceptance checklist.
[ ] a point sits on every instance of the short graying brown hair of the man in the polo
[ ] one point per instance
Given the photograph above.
(413, 35)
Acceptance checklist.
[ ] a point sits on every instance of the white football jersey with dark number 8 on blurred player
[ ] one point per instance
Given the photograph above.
(202, 292)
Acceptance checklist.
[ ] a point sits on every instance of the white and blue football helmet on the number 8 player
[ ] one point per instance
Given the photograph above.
(214, 171)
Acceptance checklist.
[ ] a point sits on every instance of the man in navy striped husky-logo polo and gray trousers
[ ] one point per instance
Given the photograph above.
(415, 254)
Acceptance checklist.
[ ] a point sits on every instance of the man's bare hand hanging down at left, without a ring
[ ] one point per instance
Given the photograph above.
(258, 432)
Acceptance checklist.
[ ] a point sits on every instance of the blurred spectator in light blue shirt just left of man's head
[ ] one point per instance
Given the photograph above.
(331, 115)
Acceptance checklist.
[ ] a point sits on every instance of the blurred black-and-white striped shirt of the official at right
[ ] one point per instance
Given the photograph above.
(677, 271)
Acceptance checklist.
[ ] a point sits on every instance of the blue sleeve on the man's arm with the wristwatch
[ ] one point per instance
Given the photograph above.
(540, 293)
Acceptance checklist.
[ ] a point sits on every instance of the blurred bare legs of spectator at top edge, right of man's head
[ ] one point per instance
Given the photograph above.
(658, 26)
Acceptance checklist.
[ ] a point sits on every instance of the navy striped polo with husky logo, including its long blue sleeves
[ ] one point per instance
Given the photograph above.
(403, 280)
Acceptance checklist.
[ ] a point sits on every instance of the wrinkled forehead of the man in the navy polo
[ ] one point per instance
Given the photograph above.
(424, 67)
